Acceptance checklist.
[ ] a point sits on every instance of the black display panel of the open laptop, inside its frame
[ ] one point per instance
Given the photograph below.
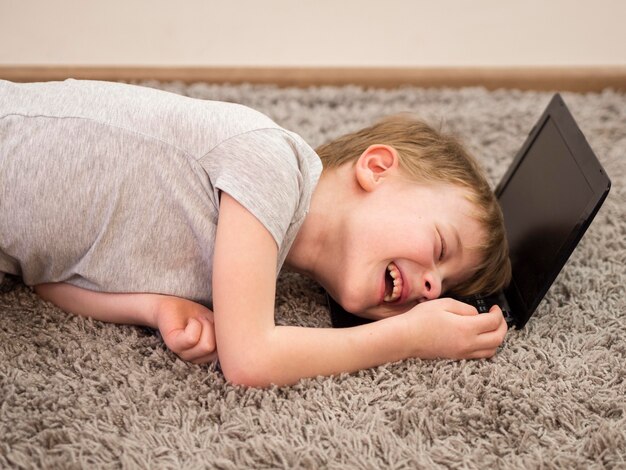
(543, 204)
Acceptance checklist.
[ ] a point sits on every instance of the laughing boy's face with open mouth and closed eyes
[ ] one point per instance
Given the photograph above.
(406, 243)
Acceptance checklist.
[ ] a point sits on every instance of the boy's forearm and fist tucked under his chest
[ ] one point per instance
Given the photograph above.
(186, 327)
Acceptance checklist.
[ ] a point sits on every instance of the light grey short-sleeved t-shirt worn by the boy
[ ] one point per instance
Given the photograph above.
(115, 188)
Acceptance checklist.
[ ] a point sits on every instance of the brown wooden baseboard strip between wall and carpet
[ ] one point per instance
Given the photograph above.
(578, 79)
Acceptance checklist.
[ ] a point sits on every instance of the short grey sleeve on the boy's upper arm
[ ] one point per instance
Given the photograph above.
(260, 169)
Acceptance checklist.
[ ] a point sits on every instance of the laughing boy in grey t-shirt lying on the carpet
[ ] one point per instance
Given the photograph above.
(133, 205)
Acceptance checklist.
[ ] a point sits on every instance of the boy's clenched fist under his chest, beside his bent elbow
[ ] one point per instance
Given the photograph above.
(187, 329)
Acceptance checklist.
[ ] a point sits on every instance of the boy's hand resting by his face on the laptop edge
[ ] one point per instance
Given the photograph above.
(447, 328)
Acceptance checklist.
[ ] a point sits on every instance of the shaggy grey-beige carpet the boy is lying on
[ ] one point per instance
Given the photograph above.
(76, 393)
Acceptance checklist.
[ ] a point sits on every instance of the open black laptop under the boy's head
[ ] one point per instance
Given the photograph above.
(549, 196)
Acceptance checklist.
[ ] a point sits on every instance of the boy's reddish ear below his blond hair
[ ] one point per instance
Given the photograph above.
(374, 165)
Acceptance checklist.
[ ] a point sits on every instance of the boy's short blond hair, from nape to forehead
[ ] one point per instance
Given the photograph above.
(427, 155)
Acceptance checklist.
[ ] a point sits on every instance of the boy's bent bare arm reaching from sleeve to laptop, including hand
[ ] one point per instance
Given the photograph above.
(256, 352)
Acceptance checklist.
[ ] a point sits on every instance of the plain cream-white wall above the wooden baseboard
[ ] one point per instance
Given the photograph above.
(313, 32)
